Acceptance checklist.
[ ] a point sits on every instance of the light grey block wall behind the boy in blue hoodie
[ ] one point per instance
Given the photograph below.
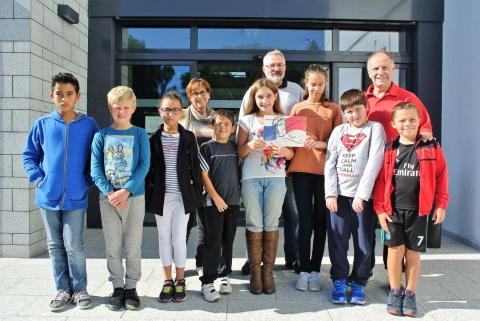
(34, 44)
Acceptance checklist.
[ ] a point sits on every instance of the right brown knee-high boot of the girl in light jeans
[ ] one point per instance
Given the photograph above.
(270, 243)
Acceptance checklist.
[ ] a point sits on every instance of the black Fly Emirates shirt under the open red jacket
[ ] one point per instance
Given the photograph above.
(406, 178)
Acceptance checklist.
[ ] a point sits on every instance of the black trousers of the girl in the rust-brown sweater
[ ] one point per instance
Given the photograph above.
(312, 218)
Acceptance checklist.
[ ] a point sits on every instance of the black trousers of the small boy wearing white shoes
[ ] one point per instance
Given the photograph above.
(220, 231)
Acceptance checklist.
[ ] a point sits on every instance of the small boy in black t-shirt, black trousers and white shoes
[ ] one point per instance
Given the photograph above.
(219, 163)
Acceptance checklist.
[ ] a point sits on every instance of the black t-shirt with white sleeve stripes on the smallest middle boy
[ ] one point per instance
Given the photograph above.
(221, 162)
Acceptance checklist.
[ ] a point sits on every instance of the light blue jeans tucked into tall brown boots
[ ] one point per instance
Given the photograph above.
(263, 199)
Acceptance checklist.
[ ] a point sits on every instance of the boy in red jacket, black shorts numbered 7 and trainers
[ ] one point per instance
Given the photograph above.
(414, 176)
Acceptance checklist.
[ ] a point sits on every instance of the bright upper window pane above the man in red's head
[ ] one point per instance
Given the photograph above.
(370, 41)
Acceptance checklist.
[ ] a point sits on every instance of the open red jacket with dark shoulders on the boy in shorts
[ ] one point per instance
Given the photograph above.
(433, 178)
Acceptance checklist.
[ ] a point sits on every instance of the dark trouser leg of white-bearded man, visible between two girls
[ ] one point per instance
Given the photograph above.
(290, 224)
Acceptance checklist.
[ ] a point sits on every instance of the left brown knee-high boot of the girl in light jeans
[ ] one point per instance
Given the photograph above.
(254, 247)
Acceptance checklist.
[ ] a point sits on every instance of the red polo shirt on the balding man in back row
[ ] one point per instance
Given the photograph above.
(380, 109)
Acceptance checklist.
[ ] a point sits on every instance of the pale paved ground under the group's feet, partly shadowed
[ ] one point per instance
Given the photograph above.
(449, 289)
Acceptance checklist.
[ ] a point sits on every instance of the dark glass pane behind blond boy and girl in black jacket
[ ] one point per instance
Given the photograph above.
(150, 82)
